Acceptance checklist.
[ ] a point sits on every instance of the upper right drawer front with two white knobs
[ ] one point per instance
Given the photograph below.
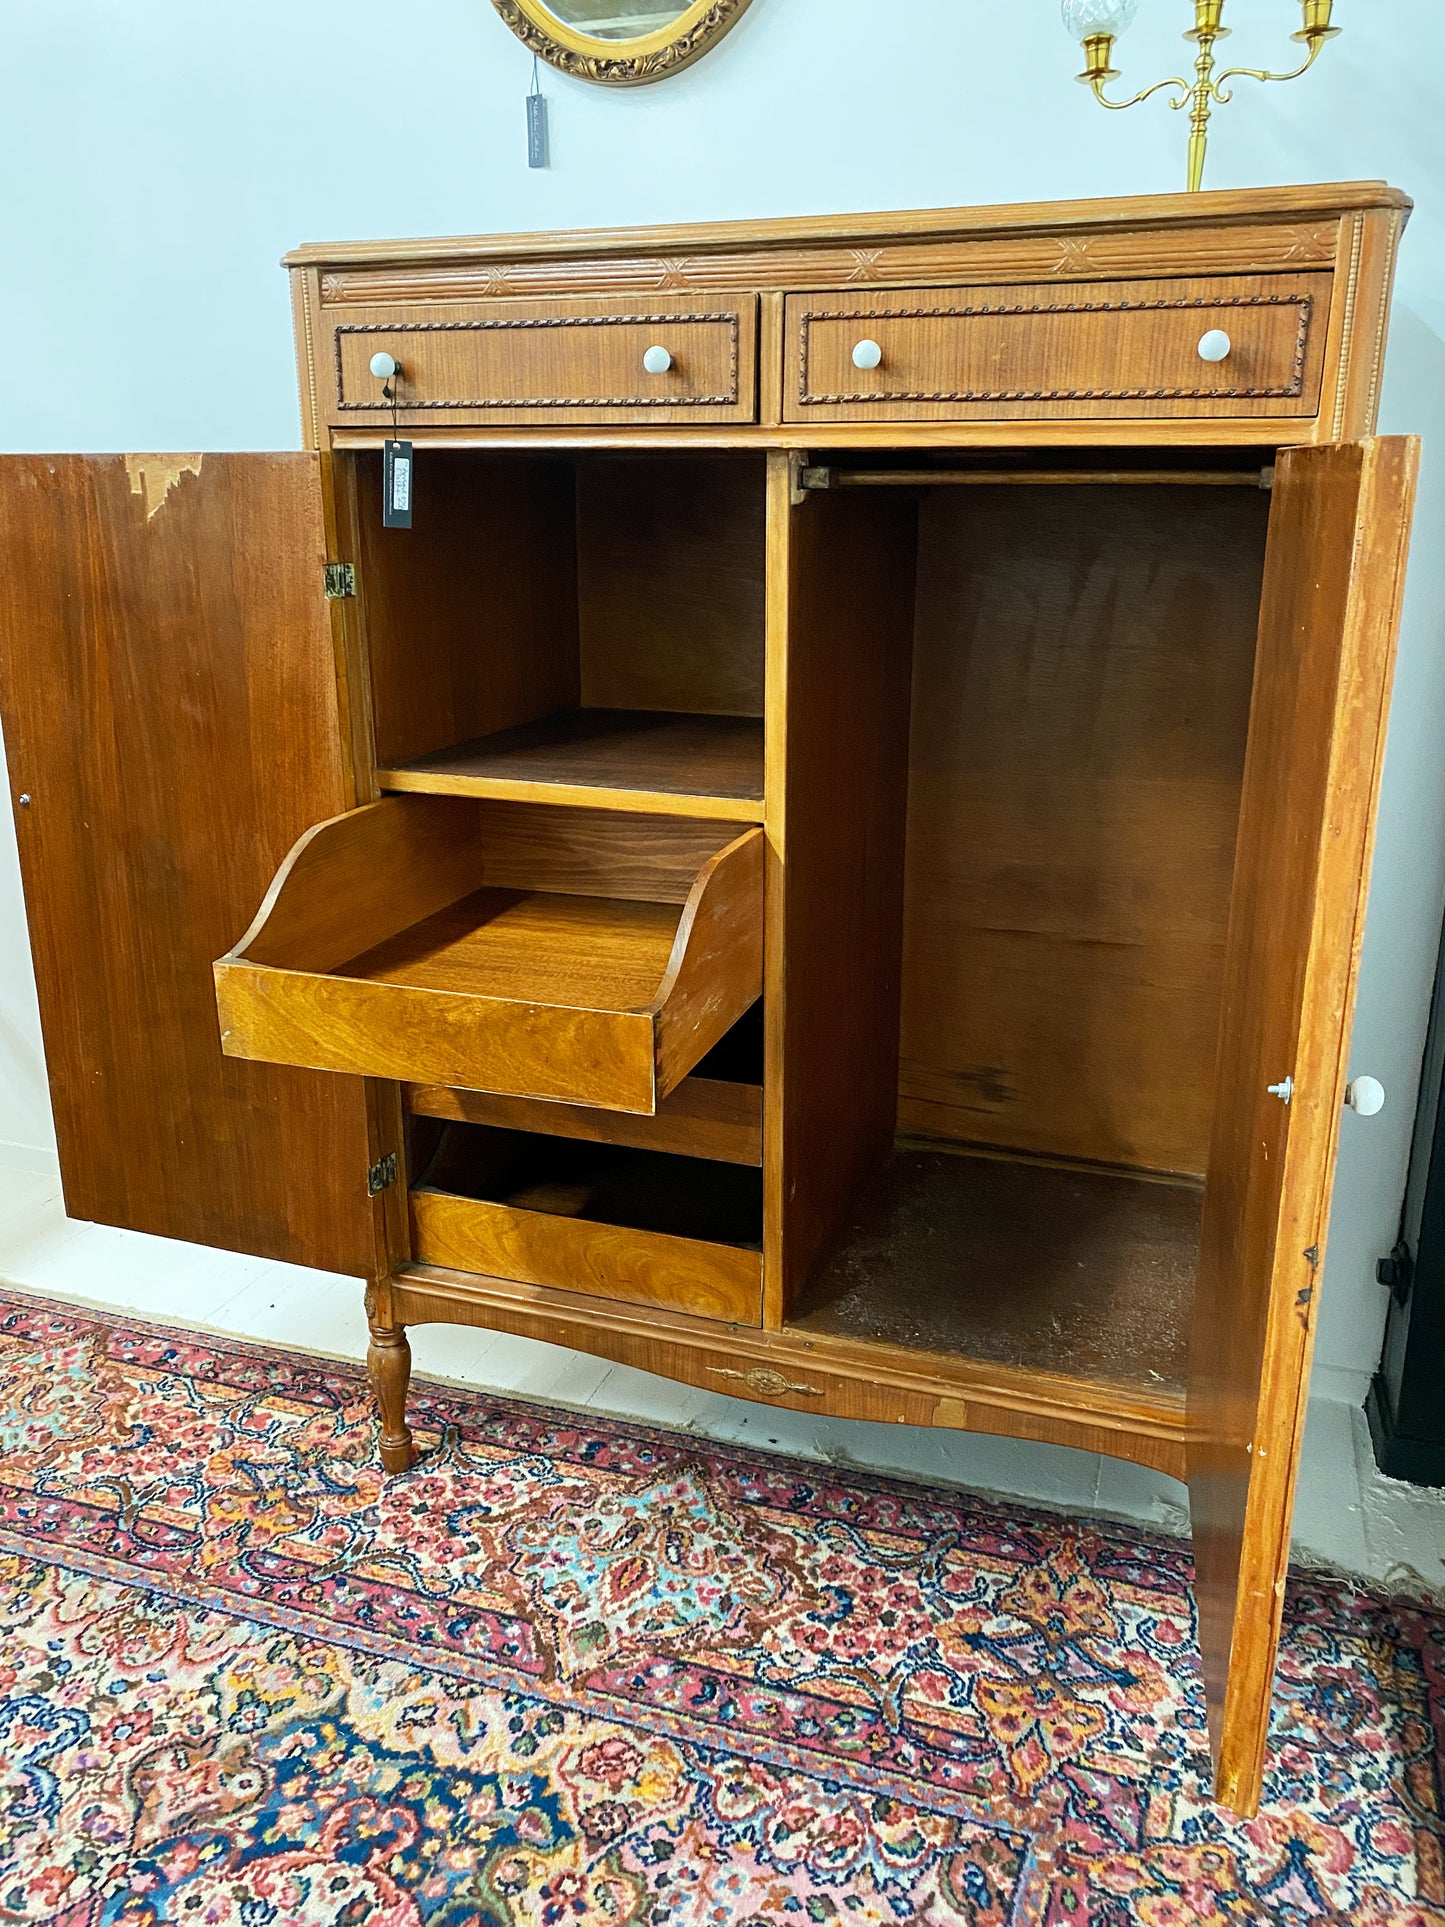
(1095, 352)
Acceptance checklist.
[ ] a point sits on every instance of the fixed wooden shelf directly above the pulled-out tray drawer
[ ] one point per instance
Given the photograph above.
(644, 760)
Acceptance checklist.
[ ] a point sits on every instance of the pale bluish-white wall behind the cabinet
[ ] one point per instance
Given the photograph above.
(161, 155)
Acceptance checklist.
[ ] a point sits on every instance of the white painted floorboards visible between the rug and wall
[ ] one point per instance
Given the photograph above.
(1348, 1516)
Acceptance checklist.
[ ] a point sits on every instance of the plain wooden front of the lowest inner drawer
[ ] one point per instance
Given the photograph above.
(596, 1259)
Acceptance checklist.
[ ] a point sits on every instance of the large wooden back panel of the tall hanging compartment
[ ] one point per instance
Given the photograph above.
(1082, 677)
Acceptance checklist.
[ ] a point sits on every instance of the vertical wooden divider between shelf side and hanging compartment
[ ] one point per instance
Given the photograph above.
(839, 666)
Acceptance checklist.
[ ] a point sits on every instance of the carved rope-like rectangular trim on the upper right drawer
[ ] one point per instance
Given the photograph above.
(1016, 311)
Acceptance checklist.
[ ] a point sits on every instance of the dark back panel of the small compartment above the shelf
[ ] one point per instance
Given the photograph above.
(671, 585)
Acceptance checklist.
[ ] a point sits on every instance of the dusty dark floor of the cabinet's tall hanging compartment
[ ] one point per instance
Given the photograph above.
(1034, 1267)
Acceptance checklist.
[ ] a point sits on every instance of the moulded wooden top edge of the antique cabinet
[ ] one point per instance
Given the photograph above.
(1128, 211)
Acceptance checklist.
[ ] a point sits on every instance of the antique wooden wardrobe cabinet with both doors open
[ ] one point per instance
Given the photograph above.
(829, 866)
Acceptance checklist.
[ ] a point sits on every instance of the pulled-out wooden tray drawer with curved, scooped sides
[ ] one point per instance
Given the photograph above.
(571, 955)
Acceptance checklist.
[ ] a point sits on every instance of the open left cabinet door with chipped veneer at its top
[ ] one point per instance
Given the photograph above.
(169, 695)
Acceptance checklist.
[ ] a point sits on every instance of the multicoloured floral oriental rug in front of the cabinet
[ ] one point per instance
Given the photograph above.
(577, 1674)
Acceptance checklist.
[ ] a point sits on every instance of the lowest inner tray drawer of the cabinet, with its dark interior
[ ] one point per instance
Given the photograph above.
(596, 1219)
